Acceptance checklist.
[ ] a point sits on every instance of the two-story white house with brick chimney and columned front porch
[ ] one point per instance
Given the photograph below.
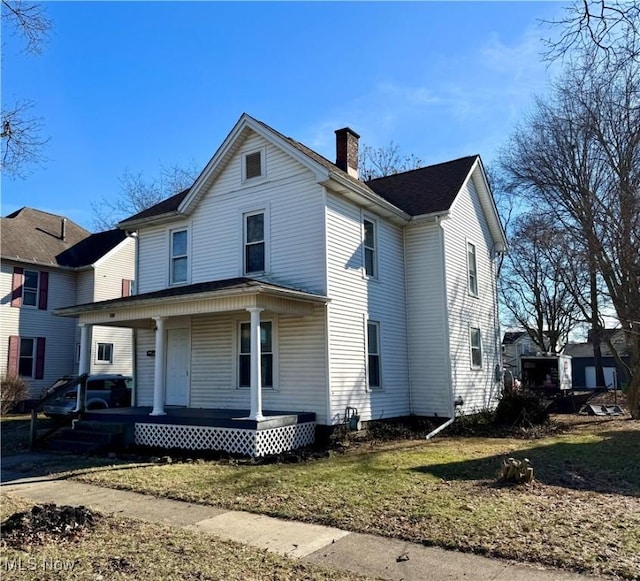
(280, 281)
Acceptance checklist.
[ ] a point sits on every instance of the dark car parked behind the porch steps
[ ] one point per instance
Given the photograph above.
(109, 390)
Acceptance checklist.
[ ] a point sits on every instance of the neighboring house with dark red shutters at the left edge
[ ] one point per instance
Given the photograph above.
(49, 262)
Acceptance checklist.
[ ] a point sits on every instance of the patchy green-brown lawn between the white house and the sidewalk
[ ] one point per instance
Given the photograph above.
(582, 513)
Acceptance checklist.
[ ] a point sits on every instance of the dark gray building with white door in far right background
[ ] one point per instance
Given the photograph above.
(583, 362)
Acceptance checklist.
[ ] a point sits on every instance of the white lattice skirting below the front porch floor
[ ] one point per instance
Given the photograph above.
(233, 440)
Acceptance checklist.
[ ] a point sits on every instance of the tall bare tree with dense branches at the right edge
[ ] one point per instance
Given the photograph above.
(578, 156)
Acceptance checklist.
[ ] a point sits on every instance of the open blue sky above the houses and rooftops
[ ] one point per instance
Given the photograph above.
(137, 85)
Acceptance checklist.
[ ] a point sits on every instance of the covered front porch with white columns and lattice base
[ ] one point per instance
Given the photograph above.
(249, 430)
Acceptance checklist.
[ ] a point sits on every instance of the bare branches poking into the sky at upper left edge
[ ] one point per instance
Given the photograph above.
(22, 139)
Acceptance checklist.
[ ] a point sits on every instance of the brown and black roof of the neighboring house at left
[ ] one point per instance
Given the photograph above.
(36, 237)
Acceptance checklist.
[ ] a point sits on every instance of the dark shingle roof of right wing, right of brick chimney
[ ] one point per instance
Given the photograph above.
(426, 190)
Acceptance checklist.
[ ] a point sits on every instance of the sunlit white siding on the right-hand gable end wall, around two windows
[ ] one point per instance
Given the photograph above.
(477, 387)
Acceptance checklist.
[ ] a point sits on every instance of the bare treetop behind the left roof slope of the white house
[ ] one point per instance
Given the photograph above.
(137, 193)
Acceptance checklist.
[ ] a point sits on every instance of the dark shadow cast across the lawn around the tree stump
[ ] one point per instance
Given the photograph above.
(611, 465)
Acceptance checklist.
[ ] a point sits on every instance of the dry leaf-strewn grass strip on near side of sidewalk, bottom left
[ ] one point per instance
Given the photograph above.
(118, 548)
